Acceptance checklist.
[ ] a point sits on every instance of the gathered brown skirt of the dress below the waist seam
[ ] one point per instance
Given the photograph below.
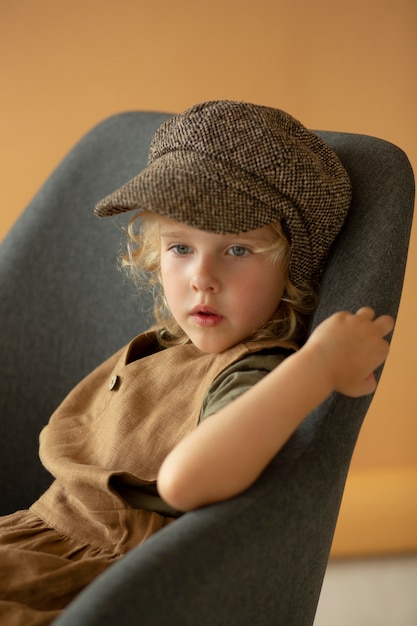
(42, 570)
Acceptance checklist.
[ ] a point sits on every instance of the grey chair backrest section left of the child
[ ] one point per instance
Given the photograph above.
(64, 305)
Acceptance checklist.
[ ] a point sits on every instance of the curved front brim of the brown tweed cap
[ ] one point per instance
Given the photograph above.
(195, 190)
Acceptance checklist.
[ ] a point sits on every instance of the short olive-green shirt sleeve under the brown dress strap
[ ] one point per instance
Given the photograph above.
(236, 379)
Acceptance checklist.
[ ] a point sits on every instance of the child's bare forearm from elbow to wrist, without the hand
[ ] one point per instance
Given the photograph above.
(230, 449)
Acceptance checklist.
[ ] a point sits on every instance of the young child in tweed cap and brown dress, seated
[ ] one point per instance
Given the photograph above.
(236, 212)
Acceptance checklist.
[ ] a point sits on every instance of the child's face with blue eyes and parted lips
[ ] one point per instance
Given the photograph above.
(220, 288)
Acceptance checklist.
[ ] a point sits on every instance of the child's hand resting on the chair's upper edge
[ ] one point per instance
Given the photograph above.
(350, 347)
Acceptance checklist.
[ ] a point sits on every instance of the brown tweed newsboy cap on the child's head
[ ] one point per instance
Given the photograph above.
(230, 167)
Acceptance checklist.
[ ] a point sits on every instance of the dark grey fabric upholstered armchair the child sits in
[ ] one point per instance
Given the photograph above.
(259, 558)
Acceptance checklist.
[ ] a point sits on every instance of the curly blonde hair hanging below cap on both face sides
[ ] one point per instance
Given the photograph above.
(142, 260)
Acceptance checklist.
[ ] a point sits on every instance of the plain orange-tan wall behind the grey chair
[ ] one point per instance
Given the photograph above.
(349, 66)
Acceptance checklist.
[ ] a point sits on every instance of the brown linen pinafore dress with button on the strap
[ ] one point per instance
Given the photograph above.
(104, 446)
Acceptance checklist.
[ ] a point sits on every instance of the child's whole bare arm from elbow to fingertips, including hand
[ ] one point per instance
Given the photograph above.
(226, 454)
